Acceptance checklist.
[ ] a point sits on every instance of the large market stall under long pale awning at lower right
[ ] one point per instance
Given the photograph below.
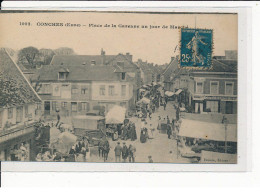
(207, 136)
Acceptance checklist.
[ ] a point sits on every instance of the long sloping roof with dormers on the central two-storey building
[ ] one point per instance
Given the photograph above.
(79, 73)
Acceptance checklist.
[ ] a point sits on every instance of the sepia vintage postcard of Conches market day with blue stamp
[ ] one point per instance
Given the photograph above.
(119, 87)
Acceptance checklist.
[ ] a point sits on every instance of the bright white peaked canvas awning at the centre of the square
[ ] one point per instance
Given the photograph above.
(116, 115)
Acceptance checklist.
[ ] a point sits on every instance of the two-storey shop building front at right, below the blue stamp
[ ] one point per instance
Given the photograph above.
(213, 91)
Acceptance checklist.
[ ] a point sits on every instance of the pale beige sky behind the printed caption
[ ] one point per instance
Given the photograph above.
(155, 45)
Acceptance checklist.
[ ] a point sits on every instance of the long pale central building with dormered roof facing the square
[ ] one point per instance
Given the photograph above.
(78, 89)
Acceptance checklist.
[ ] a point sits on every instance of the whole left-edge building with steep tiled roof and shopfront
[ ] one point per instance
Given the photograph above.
(19, 111)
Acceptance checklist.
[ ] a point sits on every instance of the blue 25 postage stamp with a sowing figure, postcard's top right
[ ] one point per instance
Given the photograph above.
(196, 47)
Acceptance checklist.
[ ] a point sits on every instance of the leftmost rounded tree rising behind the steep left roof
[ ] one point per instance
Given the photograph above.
(29, 55)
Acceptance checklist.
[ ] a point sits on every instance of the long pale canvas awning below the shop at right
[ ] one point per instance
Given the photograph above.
(207, 130)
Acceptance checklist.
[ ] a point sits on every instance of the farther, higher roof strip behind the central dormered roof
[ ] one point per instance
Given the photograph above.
(80, 59)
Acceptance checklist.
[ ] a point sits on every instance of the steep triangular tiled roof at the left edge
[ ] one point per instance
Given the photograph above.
(14, 87)
